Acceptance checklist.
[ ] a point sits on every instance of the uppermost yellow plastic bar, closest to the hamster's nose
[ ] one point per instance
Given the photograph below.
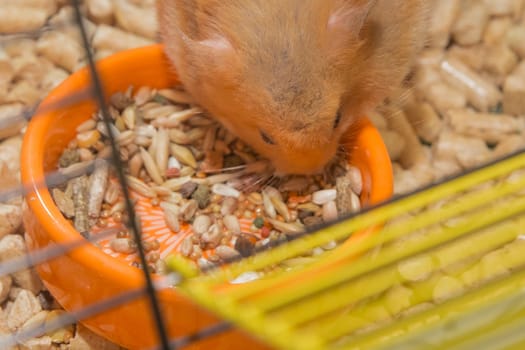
(371, 218)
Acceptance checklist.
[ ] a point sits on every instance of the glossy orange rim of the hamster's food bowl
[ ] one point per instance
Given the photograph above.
(44, 210)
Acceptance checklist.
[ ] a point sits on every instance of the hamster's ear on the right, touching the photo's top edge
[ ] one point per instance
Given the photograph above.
(348, 19)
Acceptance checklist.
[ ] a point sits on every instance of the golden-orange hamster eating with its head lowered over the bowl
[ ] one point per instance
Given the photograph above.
(290, 77)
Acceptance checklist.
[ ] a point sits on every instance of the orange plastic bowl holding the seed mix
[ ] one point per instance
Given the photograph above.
(87, 275)
